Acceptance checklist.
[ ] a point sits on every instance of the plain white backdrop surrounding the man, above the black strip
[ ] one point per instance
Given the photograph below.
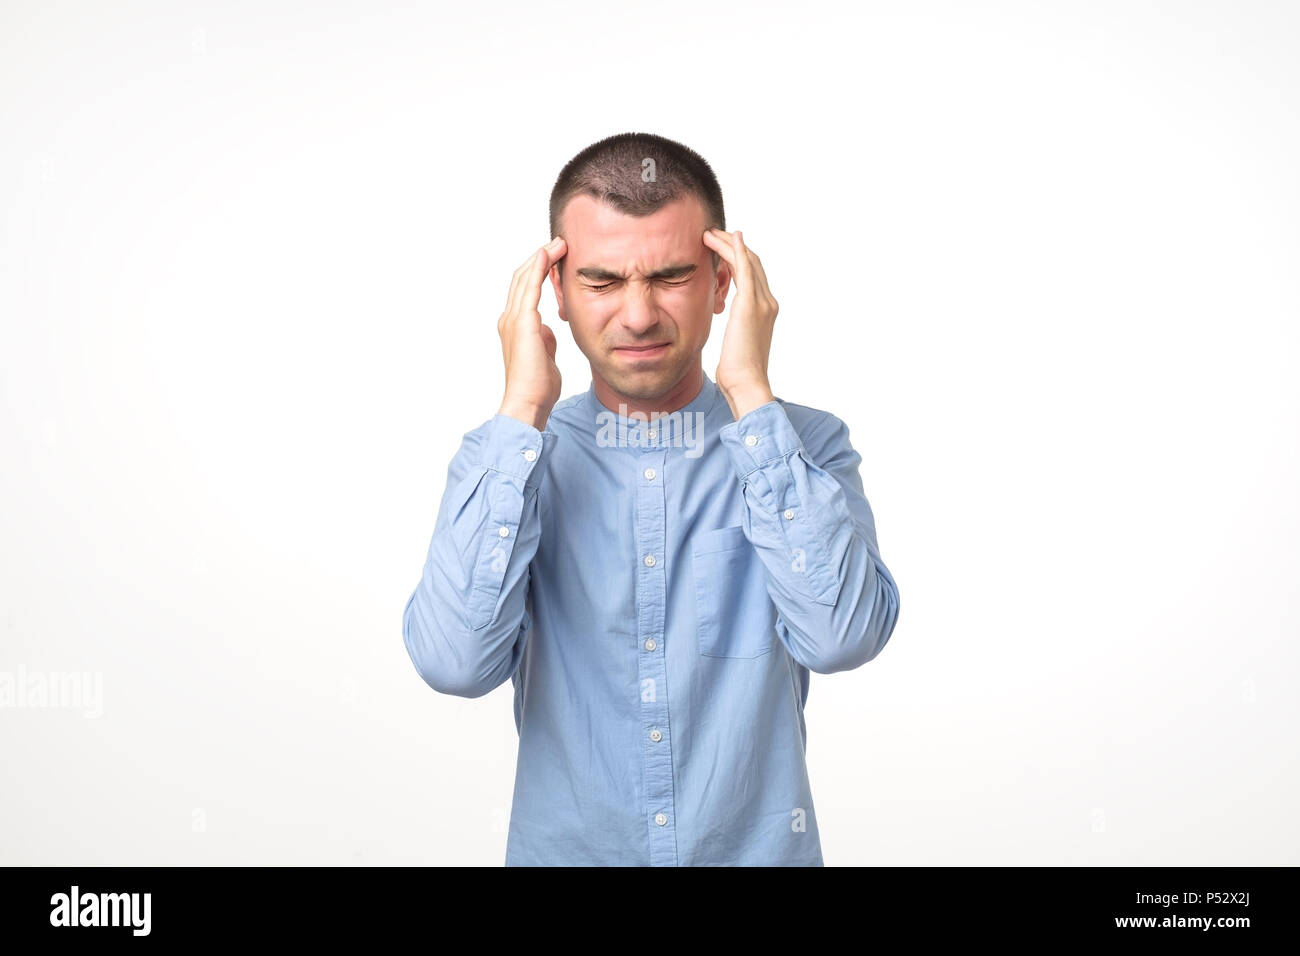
(1042, 258)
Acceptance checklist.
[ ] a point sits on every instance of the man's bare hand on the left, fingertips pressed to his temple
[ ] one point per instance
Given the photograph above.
(527, 345)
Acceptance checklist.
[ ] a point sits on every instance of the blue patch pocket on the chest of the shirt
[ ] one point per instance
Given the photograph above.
(735, 615)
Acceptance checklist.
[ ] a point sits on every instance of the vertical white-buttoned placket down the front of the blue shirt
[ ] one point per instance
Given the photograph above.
(652, 661)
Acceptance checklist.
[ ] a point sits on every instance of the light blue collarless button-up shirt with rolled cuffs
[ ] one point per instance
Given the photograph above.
(658, 595)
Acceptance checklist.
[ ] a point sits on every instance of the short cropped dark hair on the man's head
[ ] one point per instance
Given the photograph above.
(612, 172)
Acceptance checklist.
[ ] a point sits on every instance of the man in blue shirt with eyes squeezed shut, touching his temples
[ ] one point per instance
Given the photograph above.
(660, 563)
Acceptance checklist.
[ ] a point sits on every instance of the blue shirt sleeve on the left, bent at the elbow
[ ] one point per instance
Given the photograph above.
(466, 624)
